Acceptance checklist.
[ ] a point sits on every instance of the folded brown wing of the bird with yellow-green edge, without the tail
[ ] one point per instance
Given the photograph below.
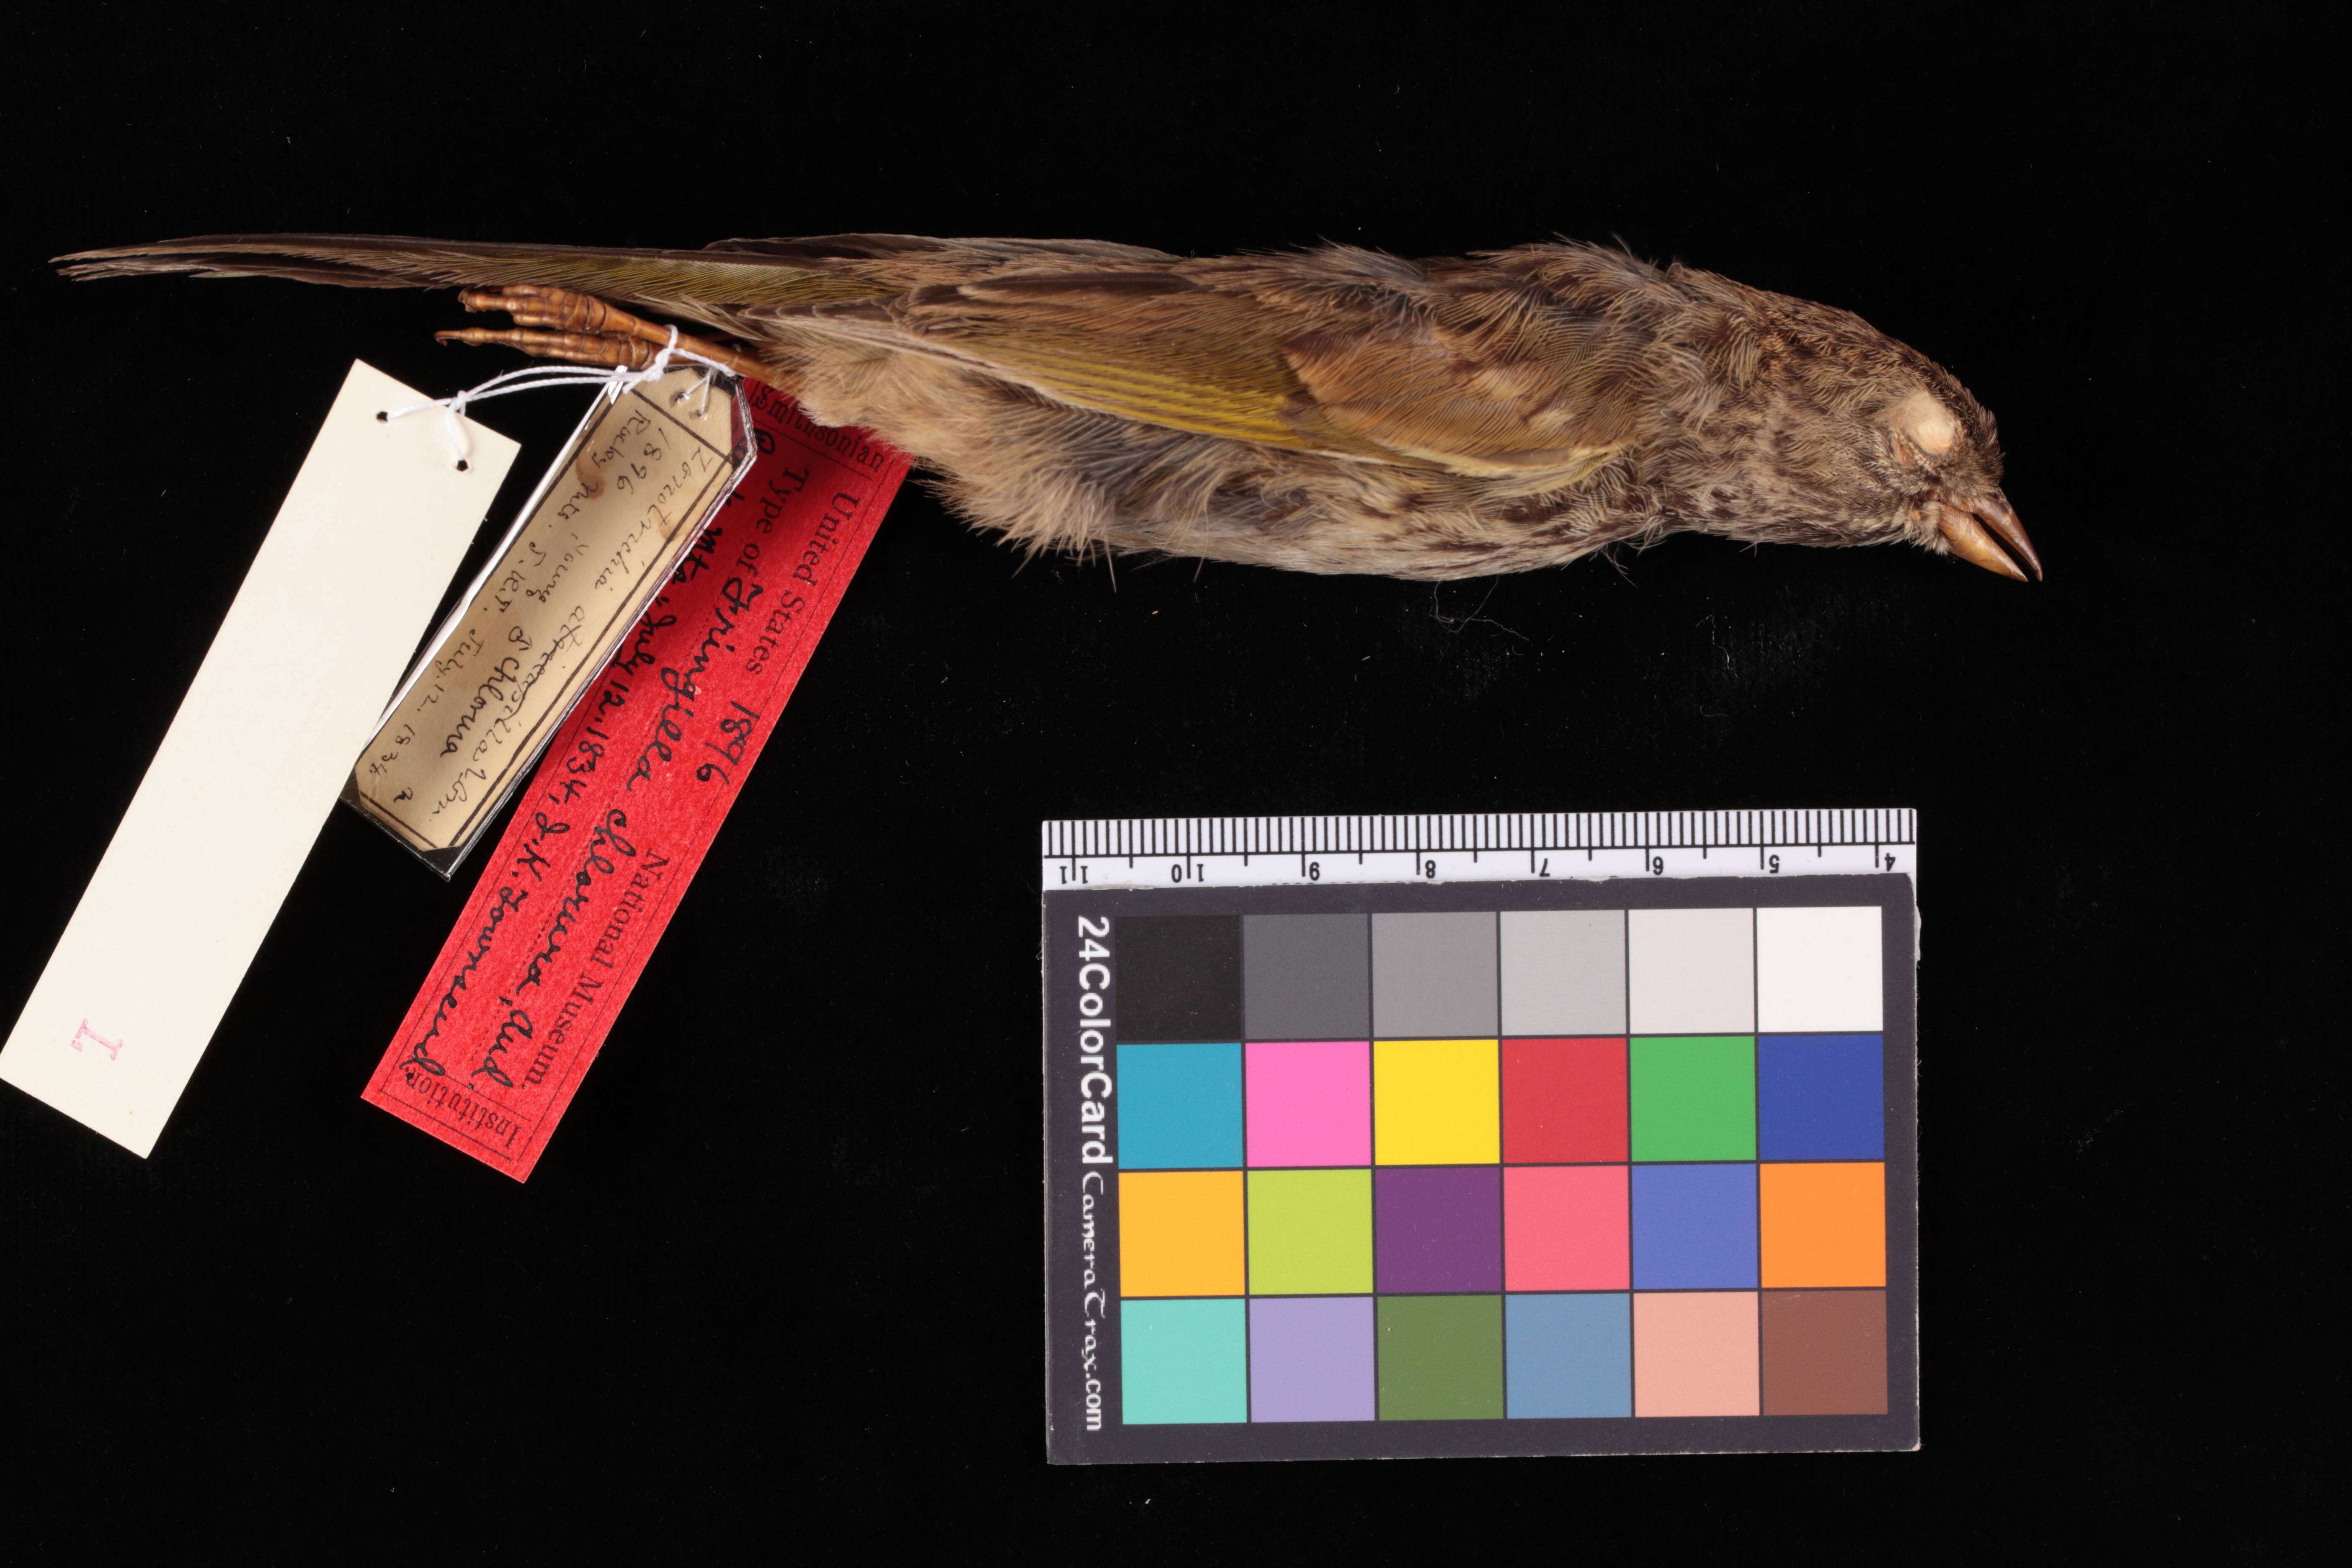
(1332, 351)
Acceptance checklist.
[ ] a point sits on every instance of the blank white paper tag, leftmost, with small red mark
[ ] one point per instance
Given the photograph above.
(295, 681)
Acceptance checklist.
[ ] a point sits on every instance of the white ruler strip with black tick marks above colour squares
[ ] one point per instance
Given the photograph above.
(1476, 847)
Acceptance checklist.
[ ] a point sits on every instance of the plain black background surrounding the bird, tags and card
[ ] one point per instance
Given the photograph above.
(777, 1278)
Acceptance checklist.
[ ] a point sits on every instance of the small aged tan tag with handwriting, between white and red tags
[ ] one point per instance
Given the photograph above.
(594, 547)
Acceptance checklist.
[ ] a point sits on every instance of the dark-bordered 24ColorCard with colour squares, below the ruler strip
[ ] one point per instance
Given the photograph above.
(1544, 1167)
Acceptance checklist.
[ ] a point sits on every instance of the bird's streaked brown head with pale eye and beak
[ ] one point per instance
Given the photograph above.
(1843, 436)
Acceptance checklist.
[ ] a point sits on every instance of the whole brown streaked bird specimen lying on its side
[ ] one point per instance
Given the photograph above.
(1332, 410)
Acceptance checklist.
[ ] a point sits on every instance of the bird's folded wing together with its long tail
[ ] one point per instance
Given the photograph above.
(1459, 368)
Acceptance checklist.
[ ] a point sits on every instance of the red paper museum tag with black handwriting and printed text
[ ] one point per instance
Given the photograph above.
(629, 798)
